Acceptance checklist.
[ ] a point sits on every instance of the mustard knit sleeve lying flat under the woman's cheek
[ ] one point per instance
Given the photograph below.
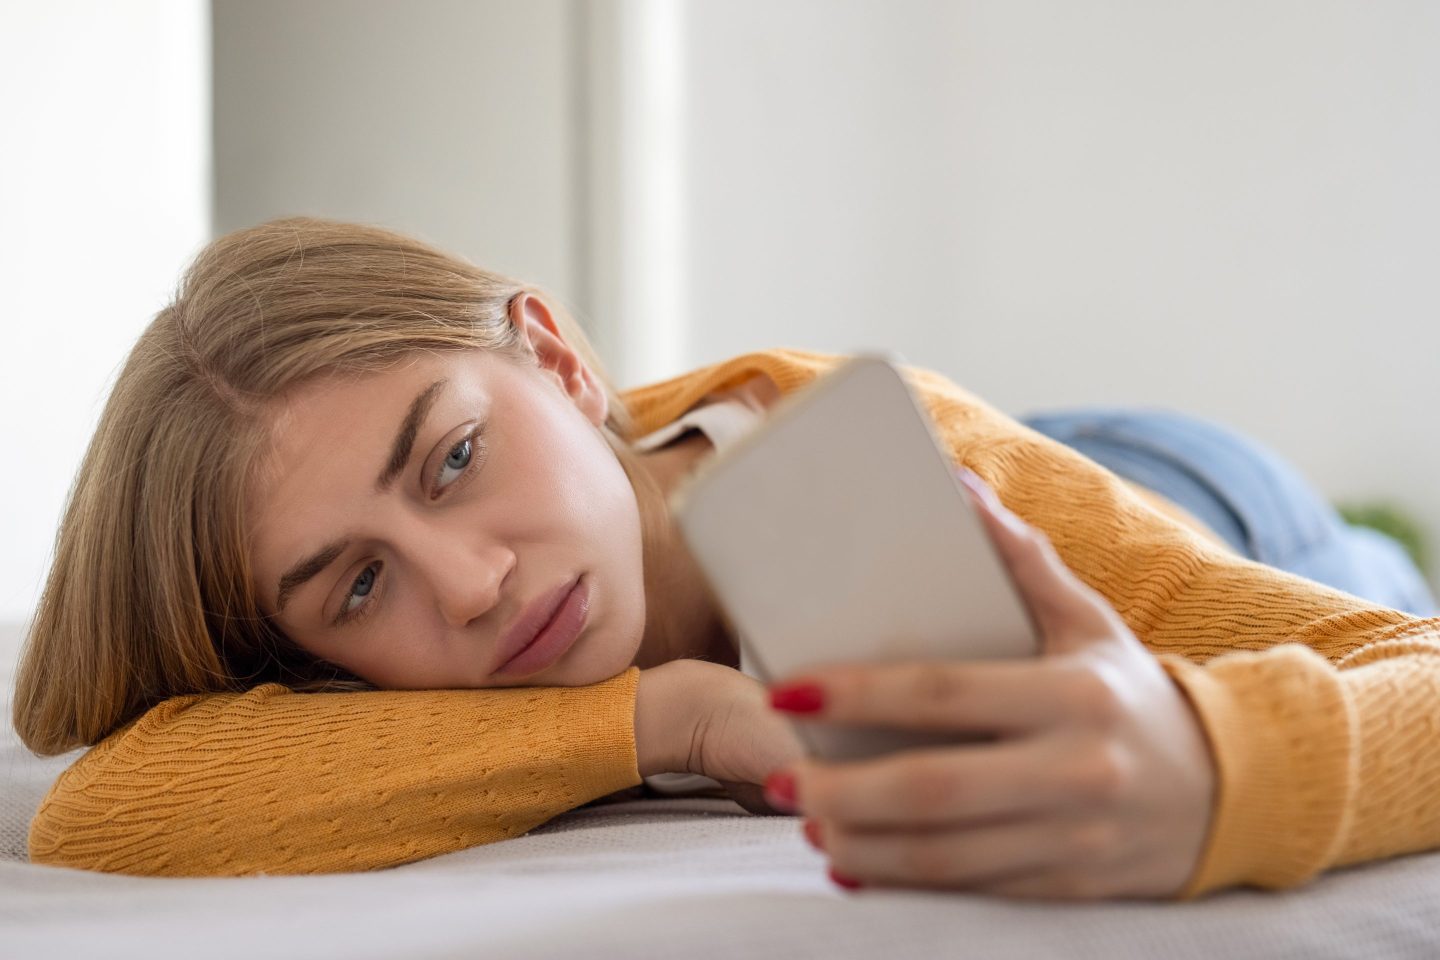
(276, 782)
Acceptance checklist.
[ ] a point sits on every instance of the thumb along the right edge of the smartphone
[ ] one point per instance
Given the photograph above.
(1056, 597)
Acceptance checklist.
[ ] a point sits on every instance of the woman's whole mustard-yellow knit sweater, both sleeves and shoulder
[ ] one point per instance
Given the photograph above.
(1321, 709)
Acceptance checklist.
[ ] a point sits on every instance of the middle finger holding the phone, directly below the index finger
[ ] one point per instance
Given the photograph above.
(950, 785)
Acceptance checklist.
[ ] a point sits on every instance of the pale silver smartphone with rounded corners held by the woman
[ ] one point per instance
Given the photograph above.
(837, 532)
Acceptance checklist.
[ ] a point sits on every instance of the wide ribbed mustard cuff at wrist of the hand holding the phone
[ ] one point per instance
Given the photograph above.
(1282, 733)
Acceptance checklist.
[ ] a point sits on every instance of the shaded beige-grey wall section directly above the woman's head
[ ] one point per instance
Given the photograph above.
(453, 120)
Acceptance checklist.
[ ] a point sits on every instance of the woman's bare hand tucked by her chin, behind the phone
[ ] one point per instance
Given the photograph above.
(714, 720)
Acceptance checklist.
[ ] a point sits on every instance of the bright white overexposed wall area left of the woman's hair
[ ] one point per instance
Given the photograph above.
(104, 196)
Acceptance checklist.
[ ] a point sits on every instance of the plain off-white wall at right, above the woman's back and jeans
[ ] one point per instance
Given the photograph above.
(1226, 207)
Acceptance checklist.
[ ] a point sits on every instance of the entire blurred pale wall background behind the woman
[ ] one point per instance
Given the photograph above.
(1226, 208)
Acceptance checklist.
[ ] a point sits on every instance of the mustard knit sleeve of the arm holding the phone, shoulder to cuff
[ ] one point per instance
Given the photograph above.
(1320, 707)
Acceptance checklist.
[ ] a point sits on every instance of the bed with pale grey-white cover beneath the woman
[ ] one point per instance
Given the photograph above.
(693, 879)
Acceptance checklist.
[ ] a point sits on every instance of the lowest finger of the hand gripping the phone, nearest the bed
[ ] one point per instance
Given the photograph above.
(1010, 853)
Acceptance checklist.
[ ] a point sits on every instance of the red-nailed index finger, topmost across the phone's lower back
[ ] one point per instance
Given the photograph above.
(1003, 697)
